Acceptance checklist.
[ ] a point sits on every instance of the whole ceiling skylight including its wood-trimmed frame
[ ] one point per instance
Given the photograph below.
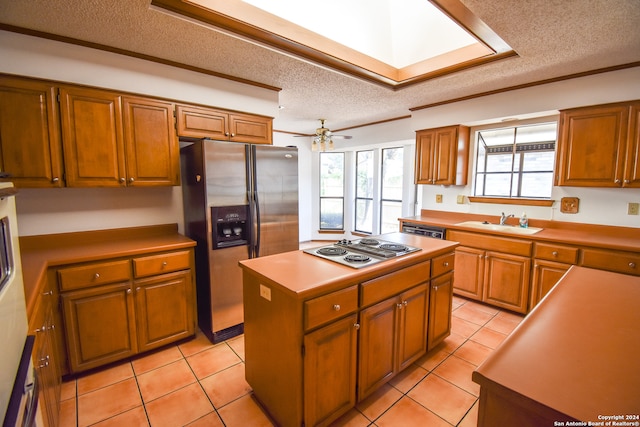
(395, 43)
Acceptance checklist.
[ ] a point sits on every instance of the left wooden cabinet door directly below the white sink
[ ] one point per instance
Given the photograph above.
(469, 277)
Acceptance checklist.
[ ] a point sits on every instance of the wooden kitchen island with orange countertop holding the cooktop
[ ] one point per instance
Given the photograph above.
(321, 336)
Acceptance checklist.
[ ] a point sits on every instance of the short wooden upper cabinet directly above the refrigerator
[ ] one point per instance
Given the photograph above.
(202, 122)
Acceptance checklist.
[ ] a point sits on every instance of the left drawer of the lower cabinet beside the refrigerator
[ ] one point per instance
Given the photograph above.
(85, 276)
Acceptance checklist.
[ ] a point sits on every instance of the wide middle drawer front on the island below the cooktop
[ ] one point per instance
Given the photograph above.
(392, 284)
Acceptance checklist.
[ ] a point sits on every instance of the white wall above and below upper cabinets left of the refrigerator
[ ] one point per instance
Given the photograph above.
(47, 211)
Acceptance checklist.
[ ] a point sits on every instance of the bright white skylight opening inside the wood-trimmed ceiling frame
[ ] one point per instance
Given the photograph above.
(396, 32)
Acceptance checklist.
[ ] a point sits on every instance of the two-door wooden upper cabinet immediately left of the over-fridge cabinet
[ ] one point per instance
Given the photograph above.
(114, 141)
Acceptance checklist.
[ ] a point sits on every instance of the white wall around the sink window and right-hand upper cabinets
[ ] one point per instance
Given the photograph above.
(606, 206)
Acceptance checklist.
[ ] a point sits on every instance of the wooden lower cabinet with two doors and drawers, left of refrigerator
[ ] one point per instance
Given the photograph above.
(115, 309)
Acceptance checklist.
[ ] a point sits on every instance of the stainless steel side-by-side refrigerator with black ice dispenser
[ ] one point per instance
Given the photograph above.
(240, 201)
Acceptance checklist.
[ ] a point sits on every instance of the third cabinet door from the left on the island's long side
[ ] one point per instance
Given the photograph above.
(413, 308)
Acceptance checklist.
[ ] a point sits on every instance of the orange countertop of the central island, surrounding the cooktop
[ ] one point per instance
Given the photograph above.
(305, 275)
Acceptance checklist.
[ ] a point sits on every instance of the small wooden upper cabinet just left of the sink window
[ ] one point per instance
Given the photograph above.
(442, 156)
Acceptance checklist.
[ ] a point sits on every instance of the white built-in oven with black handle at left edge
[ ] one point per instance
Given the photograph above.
(18, 394)
